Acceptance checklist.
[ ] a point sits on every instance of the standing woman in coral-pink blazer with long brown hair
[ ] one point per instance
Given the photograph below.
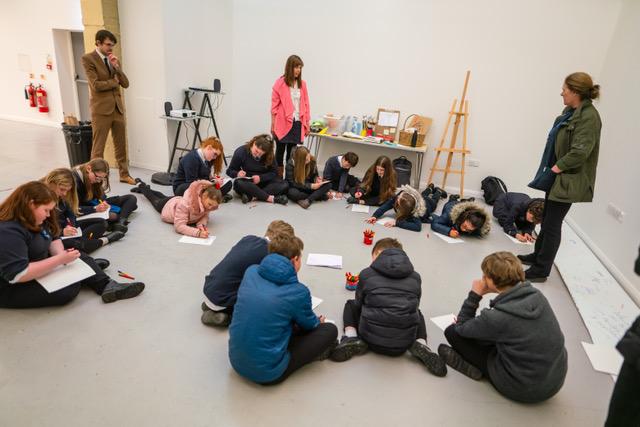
(289, 110)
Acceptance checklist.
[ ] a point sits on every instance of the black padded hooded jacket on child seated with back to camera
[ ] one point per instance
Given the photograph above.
(389, 296)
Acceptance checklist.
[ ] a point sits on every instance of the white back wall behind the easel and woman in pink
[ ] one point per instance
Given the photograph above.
(412, 55)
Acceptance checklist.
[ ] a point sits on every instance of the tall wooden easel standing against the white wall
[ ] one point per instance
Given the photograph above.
(459, 116)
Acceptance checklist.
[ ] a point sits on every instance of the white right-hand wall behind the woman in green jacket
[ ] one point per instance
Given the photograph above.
(618, 174)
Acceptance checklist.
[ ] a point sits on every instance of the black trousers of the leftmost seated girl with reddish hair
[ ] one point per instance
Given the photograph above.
(32, 295)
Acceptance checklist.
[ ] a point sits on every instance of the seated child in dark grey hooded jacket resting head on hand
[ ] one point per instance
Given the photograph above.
(516, 343)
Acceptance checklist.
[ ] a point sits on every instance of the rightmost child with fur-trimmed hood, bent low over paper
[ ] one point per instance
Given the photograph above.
(461, 217)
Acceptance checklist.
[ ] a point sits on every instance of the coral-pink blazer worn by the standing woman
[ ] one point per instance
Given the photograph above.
(282, 108)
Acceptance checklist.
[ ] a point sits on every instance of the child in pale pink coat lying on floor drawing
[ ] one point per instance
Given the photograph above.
(189, 214)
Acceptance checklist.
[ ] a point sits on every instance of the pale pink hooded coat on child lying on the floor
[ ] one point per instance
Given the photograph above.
(188, 209)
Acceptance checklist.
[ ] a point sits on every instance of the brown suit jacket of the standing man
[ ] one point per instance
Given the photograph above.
(104, 89)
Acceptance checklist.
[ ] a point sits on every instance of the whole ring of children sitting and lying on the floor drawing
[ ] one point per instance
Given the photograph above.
(517, 344)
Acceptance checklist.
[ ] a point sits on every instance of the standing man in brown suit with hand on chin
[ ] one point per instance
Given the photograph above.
(107, 110)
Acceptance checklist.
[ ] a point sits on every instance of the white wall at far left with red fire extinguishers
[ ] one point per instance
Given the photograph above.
(26, 28)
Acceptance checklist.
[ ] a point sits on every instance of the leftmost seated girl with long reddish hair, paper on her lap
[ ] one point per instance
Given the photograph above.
(30, 248)
